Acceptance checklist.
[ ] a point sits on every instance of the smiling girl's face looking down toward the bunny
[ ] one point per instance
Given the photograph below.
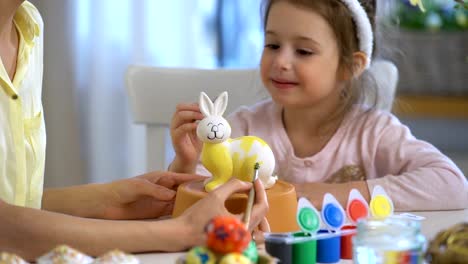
(299, 62)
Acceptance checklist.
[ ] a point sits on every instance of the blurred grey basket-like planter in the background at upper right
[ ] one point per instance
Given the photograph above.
(431, 63)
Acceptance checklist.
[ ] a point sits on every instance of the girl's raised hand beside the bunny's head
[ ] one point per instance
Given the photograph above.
(186, 144)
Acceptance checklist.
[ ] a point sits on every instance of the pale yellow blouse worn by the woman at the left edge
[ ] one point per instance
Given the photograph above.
(22, 127)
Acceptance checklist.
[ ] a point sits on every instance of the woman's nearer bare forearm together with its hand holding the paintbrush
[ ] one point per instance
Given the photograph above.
(30, 233)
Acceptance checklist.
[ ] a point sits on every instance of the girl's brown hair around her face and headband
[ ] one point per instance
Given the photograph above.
(340, 20)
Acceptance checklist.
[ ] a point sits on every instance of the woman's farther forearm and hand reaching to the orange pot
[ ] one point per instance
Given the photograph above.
(150, 195)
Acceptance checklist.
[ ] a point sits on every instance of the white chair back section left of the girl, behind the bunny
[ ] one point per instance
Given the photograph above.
(154, 93)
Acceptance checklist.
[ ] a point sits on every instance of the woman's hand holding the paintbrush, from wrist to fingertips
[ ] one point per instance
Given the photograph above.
(197, 216)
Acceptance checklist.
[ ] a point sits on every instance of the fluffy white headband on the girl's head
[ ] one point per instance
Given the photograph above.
(364, 28)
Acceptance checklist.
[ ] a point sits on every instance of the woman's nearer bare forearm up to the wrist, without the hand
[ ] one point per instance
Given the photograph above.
(30, 233)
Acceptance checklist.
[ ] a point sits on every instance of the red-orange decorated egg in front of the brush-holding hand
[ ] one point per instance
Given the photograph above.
(227, 234)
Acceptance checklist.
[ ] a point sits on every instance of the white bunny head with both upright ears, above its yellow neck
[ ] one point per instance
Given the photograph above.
(213, 128)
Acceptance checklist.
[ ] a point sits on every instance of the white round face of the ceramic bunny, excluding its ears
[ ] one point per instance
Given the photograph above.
(213, 129)
